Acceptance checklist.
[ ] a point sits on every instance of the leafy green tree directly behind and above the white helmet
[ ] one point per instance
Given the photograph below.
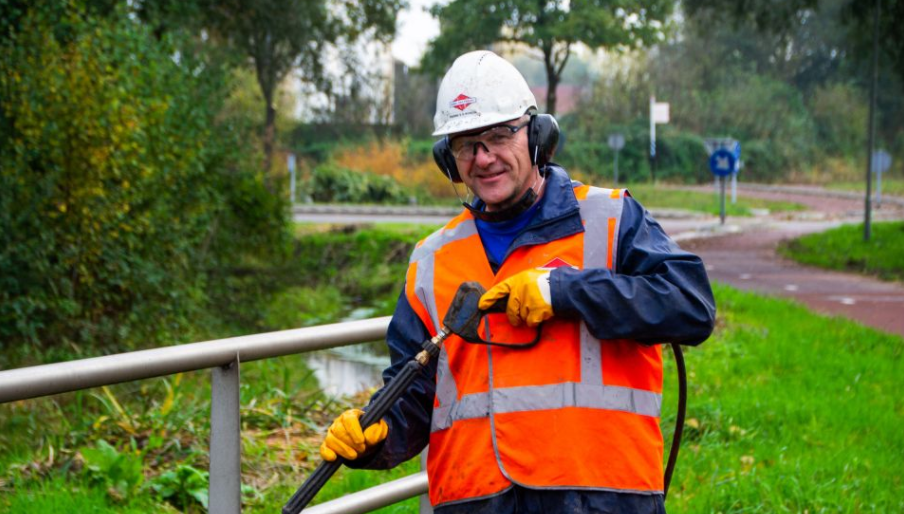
(552, 27)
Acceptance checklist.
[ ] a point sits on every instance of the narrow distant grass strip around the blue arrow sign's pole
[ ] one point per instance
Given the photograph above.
(667, 197)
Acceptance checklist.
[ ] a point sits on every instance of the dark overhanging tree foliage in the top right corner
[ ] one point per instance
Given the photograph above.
(826, 42)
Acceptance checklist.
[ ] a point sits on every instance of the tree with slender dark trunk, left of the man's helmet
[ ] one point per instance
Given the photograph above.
(281, 35)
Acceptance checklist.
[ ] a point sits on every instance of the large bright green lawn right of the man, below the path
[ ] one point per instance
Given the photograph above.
(790, 412)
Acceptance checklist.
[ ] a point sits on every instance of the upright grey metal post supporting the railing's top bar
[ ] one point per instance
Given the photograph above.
(225, 487)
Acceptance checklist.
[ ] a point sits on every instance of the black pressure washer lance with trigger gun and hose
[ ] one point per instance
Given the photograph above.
(462, 319)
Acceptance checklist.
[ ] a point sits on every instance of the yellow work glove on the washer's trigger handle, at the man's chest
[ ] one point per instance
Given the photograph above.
(529, 298)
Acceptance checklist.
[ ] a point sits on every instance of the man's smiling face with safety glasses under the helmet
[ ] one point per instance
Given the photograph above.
(495, 163)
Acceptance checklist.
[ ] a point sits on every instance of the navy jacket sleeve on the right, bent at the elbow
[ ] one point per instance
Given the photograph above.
(657, 293)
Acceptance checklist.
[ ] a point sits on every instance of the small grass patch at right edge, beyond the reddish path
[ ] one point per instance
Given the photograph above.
(844, 249)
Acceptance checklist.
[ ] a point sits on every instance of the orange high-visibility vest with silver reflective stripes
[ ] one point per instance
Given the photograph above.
(570, 412)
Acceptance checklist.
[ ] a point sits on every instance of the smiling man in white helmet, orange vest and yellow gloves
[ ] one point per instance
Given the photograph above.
(570, 424)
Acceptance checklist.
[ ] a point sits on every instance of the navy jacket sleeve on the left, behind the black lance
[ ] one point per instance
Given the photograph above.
(409, 418)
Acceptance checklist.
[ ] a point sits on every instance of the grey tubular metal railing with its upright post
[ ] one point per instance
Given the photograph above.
(223, 357)
